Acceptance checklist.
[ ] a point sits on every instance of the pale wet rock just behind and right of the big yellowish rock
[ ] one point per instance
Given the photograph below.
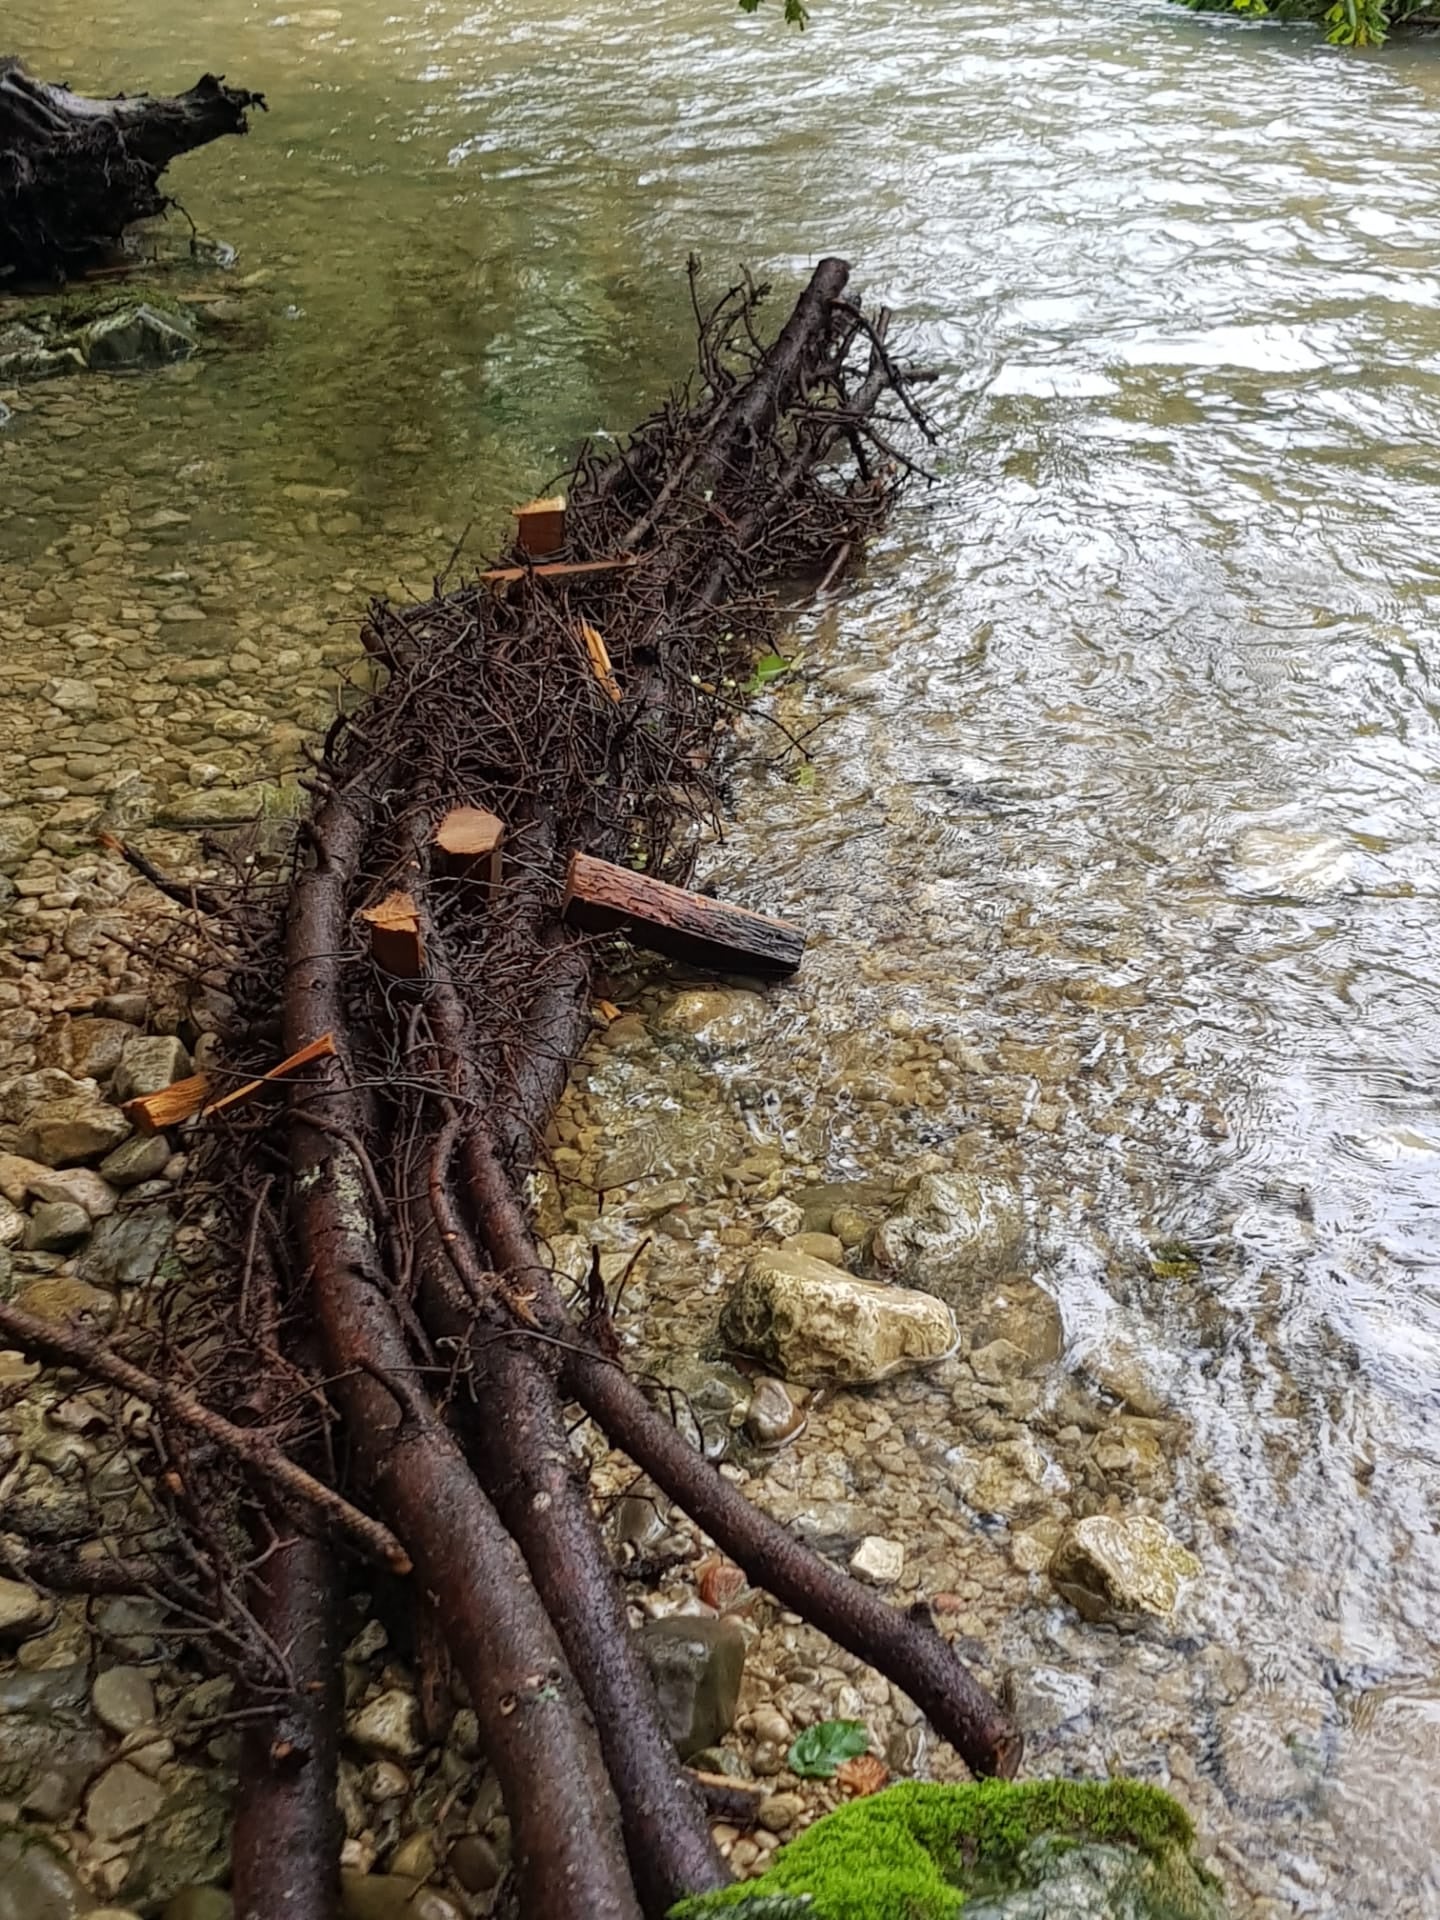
(953, 1234)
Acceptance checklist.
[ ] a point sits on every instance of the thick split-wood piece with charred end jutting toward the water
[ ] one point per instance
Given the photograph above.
(669, 921)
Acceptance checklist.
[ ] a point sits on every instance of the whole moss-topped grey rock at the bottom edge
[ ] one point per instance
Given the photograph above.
(1042, 1850)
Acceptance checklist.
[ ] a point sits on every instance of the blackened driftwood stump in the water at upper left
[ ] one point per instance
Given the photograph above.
(78, 172)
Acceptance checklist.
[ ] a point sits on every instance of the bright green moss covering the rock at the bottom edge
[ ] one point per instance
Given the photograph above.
(915, 1852)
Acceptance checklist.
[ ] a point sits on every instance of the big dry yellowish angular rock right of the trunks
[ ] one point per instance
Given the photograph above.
(813, 1324)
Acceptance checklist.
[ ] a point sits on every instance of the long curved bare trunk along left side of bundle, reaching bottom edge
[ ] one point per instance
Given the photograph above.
(535, 1721)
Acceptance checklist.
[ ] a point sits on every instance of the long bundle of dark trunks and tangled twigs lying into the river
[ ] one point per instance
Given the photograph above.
(581, 704)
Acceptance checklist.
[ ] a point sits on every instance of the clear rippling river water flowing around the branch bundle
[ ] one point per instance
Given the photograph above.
(1130, 777)
